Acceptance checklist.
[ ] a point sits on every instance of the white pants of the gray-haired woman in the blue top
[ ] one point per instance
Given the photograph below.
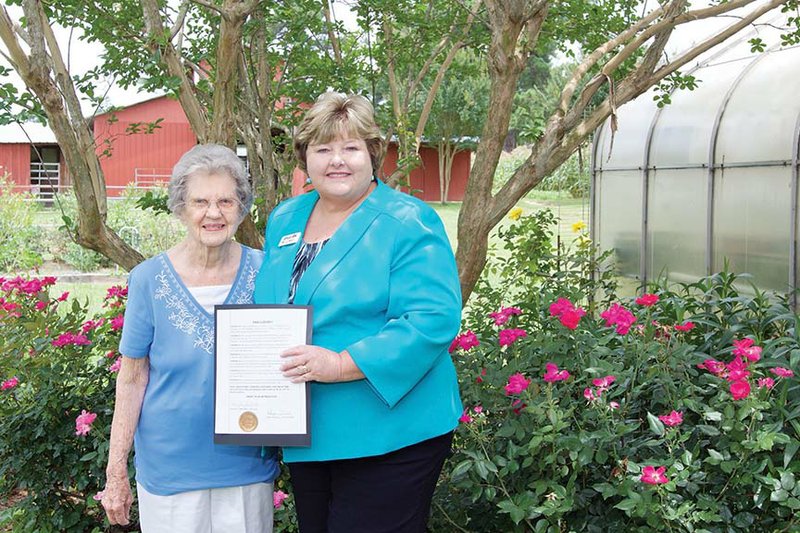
(242, 509)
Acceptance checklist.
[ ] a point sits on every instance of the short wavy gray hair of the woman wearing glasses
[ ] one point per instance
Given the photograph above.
(209, 159)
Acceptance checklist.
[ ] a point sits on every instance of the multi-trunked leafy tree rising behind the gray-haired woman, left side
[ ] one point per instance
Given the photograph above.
(239, 68)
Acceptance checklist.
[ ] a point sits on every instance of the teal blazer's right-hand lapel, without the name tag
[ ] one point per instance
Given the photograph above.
(348, 234)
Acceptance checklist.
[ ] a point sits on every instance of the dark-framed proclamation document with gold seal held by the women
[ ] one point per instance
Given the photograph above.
(254, 404)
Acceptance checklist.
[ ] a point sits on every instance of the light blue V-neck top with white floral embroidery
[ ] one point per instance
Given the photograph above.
(174, 442)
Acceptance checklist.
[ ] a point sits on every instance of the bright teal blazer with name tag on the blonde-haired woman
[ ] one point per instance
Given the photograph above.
(385, 287)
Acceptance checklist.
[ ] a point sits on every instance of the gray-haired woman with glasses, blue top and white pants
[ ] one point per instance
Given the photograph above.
(186, 483)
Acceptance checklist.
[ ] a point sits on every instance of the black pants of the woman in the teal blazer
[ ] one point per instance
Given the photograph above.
(388, 493)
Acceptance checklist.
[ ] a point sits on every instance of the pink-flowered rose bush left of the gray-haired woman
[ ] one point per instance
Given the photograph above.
(56, 404)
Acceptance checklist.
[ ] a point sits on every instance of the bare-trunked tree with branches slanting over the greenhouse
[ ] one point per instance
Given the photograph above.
(624, 64)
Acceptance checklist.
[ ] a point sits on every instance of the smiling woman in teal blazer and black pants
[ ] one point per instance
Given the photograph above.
(378, 269)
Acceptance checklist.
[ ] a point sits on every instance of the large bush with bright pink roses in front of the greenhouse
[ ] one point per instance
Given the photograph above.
(589, 413)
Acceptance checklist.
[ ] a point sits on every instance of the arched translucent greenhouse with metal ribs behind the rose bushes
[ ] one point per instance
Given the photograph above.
(710, 179)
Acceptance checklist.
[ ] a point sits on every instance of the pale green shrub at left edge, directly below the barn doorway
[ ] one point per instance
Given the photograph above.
(20, 242)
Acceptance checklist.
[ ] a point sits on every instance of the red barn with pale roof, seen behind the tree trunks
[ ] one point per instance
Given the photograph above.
(129, 154)
